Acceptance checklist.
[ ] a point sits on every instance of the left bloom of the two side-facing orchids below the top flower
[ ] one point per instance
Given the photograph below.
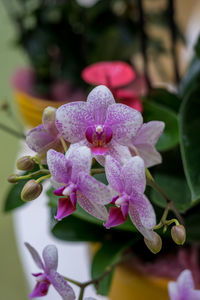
(70, 173)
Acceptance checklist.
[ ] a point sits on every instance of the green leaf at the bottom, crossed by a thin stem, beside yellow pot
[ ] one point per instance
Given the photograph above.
(105, 257)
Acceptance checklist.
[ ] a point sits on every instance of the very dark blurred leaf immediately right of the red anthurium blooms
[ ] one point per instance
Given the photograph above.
(165, 98)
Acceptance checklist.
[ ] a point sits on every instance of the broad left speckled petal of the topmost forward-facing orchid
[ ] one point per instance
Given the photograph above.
(72, 119)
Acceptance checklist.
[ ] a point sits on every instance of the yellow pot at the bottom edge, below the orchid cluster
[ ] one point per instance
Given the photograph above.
(128, 284)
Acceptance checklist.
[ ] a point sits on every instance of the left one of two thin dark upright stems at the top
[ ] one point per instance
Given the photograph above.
(143, 41)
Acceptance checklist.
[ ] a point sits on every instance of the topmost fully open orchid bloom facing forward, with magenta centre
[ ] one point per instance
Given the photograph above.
(101, 124)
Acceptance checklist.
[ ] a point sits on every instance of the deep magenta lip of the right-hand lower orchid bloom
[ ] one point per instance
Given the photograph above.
(115, 218)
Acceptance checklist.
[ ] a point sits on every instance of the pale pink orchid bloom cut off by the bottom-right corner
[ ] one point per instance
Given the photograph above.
(184, 288)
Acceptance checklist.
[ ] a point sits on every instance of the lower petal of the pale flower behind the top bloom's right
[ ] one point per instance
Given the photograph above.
(149, 154)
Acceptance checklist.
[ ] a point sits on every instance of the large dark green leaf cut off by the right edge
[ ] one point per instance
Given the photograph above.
(189, 139)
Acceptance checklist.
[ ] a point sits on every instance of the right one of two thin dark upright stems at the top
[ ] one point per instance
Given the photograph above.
(173, 35)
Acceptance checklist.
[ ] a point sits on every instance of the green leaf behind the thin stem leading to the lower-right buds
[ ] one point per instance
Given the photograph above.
(176, 188)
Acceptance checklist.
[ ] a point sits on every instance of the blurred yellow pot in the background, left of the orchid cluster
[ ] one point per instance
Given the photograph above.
(31, 108)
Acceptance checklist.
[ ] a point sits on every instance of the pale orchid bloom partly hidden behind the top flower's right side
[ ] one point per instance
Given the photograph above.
(143, 144)
